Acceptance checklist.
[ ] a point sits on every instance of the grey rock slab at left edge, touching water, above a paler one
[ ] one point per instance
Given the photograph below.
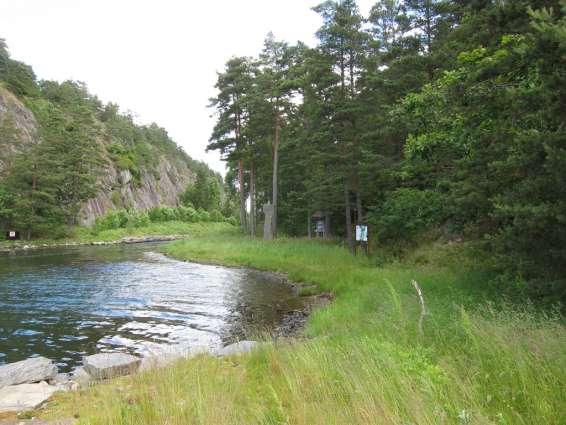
(27, 372)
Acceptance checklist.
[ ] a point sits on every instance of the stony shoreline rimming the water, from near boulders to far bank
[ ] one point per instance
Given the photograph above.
(29, 384)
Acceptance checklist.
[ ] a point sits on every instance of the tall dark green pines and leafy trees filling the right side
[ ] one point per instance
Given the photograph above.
(424, 114)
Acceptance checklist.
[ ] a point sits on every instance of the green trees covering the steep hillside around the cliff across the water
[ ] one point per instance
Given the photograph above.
(45, 182)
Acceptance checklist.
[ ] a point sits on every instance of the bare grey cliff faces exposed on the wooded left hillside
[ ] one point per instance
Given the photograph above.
(161, 183)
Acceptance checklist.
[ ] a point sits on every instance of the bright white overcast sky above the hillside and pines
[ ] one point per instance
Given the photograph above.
(156, 58)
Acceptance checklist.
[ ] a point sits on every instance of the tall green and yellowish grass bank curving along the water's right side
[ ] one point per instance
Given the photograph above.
(480, 360)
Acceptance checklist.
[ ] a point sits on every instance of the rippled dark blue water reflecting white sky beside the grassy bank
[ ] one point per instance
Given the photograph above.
(65, 303)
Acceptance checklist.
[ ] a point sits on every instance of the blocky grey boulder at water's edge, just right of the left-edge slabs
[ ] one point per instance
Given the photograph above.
(110, 365)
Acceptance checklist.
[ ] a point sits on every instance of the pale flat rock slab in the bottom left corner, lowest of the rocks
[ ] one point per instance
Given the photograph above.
(18, 398)
